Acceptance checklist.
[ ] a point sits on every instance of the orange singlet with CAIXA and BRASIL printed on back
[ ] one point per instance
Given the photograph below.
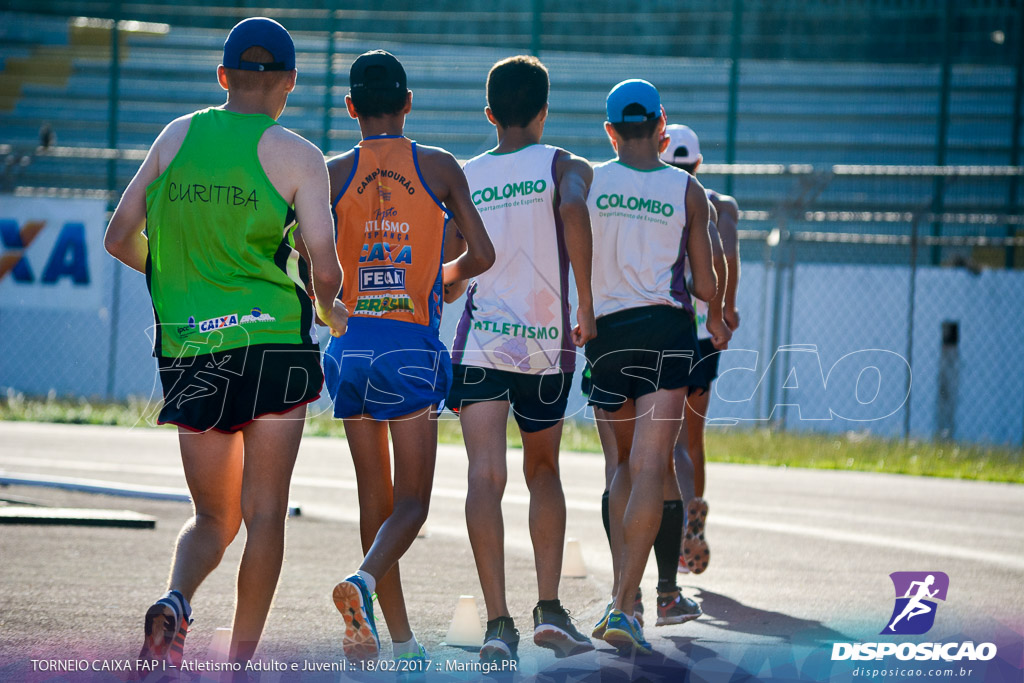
(391, 236)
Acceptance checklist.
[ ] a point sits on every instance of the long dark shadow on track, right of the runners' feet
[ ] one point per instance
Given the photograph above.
(726, 613)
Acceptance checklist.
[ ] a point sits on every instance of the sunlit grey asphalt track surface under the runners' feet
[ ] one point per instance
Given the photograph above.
(800, 561)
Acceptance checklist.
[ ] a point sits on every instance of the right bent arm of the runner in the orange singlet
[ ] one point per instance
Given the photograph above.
(448, 183)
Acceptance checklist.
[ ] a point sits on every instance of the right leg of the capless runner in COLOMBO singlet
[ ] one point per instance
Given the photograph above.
(547, 506)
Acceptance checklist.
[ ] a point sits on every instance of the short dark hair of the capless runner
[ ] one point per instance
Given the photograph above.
(518, 91)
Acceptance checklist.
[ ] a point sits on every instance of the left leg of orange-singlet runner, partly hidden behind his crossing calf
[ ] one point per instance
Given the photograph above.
(368, 442)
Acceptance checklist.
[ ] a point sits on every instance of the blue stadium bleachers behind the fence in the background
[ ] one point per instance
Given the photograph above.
(789, 112)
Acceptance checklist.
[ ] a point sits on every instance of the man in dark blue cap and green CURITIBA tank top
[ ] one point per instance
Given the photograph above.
(209, 219)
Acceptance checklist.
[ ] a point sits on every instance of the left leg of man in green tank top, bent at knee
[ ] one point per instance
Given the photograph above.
(212, 464)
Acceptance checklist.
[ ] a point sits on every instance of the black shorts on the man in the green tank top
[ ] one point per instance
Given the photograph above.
(227, 391)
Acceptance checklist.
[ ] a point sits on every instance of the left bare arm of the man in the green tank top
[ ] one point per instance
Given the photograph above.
(125, 240)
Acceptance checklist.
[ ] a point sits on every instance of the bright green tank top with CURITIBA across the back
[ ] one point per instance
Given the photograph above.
(223, 271)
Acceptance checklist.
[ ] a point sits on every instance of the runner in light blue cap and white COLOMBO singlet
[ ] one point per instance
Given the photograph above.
(649, 218)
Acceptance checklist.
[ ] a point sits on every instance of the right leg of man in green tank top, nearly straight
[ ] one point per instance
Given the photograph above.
(271, 447)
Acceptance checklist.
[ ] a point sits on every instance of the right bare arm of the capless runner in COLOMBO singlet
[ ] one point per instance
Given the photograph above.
(575, 176)
